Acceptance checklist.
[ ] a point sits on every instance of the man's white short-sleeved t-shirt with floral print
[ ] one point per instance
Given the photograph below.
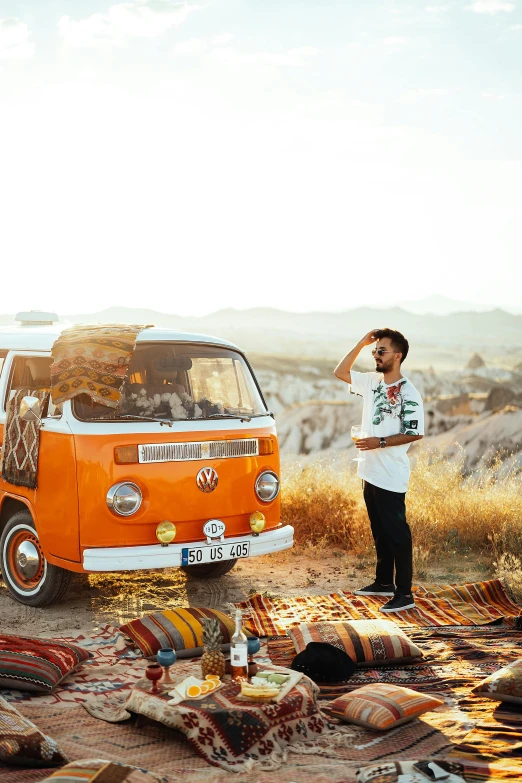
(389, 409)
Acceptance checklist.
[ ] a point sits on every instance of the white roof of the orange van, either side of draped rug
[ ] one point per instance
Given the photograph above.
(42, 338)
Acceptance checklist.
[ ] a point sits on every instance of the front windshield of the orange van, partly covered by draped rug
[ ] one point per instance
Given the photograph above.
(174, 381)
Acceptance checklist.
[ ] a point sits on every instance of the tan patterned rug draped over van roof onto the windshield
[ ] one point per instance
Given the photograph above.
(93, 360)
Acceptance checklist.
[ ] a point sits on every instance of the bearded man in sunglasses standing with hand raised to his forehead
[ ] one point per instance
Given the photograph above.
(393, 417)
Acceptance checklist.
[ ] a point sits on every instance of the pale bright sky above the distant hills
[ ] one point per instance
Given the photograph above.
(192, 156)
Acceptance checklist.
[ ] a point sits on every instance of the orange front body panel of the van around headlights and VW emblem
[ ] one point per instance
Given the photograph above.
(169, 490)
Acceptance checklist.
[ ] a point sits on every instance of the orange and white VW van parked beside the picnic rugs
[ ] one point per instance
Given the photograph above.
(161, 486)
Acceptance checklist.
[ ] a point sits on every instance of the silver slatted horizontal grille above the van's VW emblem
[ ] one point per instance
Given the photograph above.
(209, 449)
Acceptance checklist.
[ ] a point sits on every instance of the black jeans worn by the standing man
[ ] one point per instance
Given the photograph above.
(392, 536)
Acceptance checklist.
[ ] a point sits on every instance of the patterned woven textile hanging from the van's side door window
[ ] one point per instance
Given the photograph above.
(21, 442)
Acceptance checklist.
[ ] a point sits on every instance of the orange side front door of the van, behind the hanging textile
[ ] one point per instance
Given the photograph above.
(54, 503)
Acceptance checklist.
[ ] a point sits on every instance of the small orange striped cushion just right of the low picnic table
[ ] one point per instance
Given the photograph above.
(381, 706)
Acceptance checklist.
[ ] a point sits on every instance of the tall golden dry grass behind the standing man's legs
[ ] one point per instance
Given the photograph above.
(449, 513)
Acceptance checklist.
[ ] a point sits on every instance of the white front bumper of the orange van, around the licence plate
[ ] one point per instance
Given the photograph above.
(134, 558)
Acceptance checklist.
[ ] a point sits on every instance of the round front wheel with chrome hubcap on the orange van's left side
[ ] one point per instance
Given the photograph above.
(27, 574)
